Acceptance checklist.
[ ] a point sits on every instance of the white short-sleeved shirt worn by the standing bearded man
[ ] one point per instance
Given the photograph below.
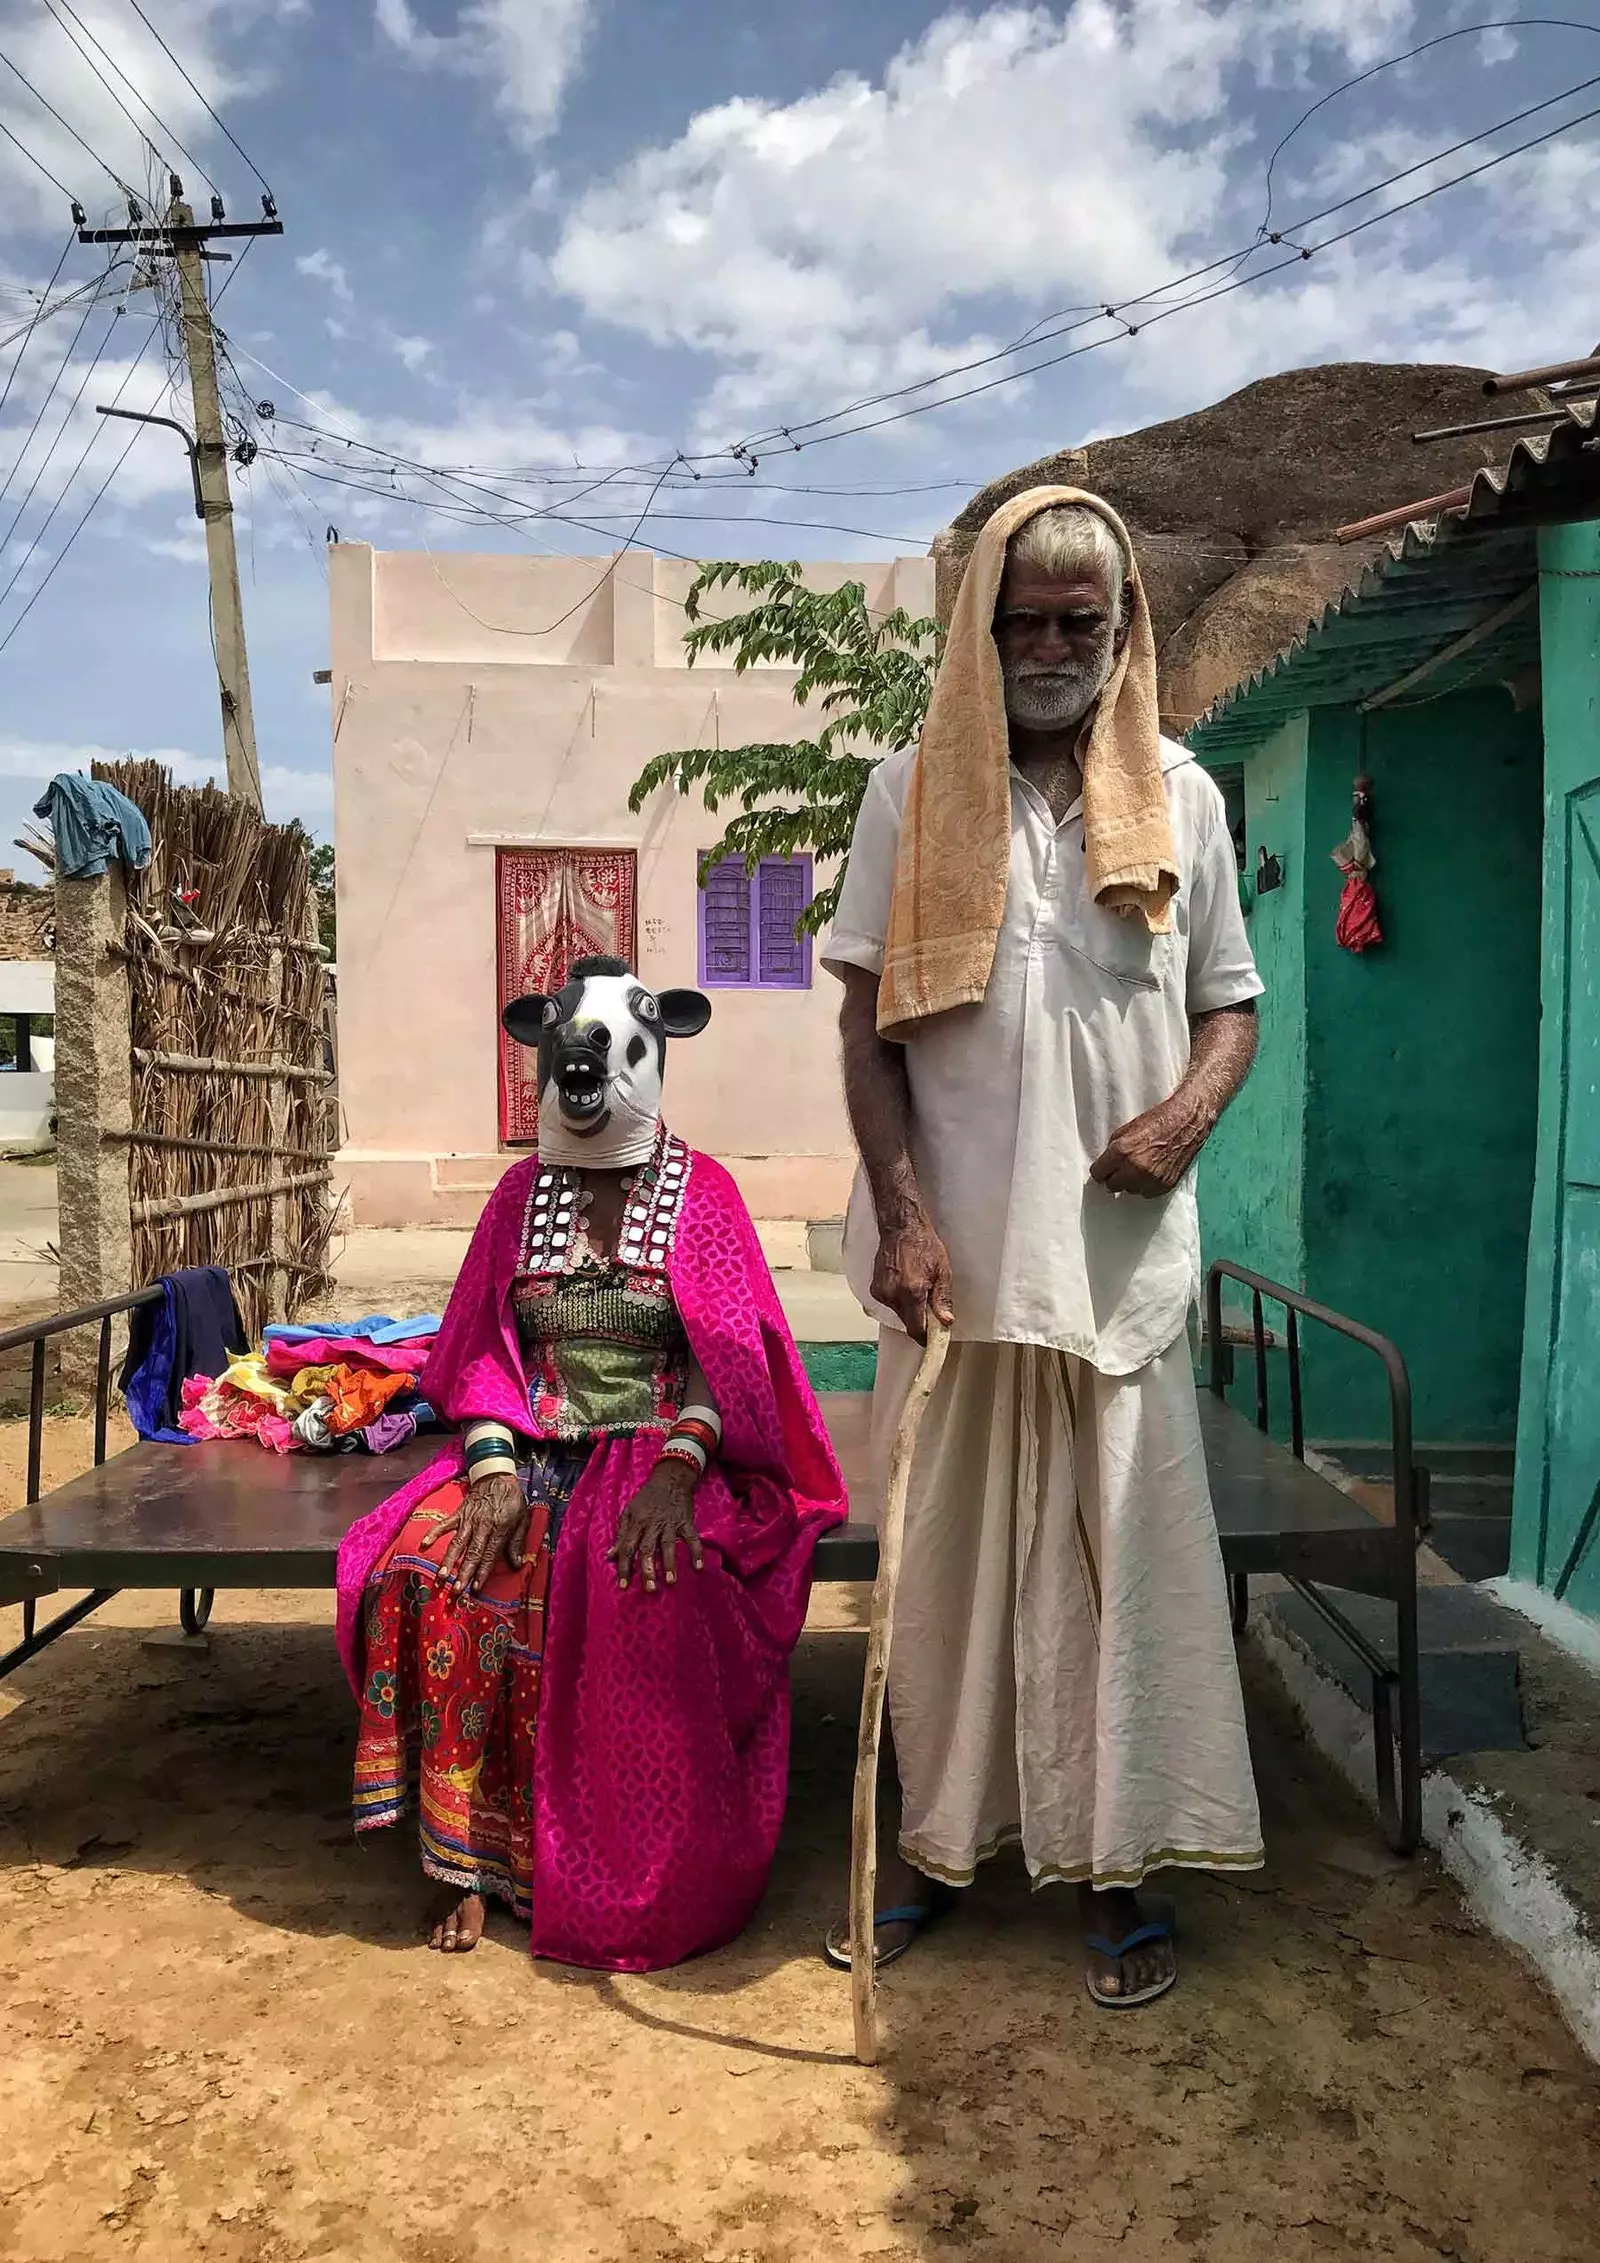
(1085, 1026)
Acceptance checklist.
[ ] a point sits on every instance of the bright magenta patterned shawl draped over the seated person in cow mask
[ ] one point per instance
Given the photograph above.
(664, 1721)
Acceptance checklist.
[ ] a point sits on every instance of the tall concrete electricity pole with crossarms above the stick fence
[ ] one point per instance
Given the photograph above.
(182, 239)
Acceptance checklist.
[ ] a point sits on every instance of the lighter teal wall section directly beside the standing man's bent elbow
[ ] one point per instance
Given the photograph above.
(1253, 1173)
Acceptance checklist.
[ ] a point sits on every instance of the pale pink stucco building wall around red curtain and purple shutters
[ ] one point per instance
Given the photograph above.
(490, 716)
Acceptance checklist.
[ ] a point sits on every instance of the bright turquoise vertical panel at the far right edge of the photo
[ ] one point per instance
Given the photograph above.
(1558, 1447)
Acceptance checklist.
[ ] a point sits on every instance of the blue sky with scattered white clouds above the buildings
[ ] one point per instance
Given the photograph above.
(551, 264)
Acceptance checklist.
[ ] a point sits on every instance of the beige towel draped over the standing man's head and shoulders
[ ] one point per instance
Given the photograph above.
(956, 834)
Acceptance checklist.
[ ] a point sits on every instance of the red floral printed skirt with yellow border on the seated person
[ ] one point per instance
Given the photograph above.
(451, 1698)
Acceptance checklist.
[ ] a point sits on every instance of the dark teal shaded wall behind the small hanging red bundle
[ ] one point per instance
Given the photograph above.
(1422, 1060)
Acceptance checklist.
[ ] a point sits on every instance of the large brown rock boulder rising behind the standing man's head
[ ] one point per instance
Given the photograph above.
(1235, 508)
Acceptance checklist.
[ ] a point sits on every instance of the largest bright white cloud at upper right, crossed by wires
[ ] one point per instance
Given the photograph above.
(1010, 162)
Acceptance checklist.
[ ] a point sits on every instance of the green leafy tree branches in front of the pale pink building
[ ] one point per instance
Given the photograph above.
(870, 678)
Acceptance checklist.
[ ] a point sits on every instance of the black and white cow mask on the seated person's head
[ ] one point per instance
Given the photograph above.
(603, 1047)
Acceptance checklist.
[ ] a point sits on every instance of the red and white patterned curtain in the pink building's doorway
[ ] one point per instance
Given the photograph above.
(553, 906)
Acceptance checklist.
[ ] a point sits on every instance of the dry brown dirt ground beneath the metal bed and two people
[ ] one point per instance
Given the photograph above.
(225, 2040)
